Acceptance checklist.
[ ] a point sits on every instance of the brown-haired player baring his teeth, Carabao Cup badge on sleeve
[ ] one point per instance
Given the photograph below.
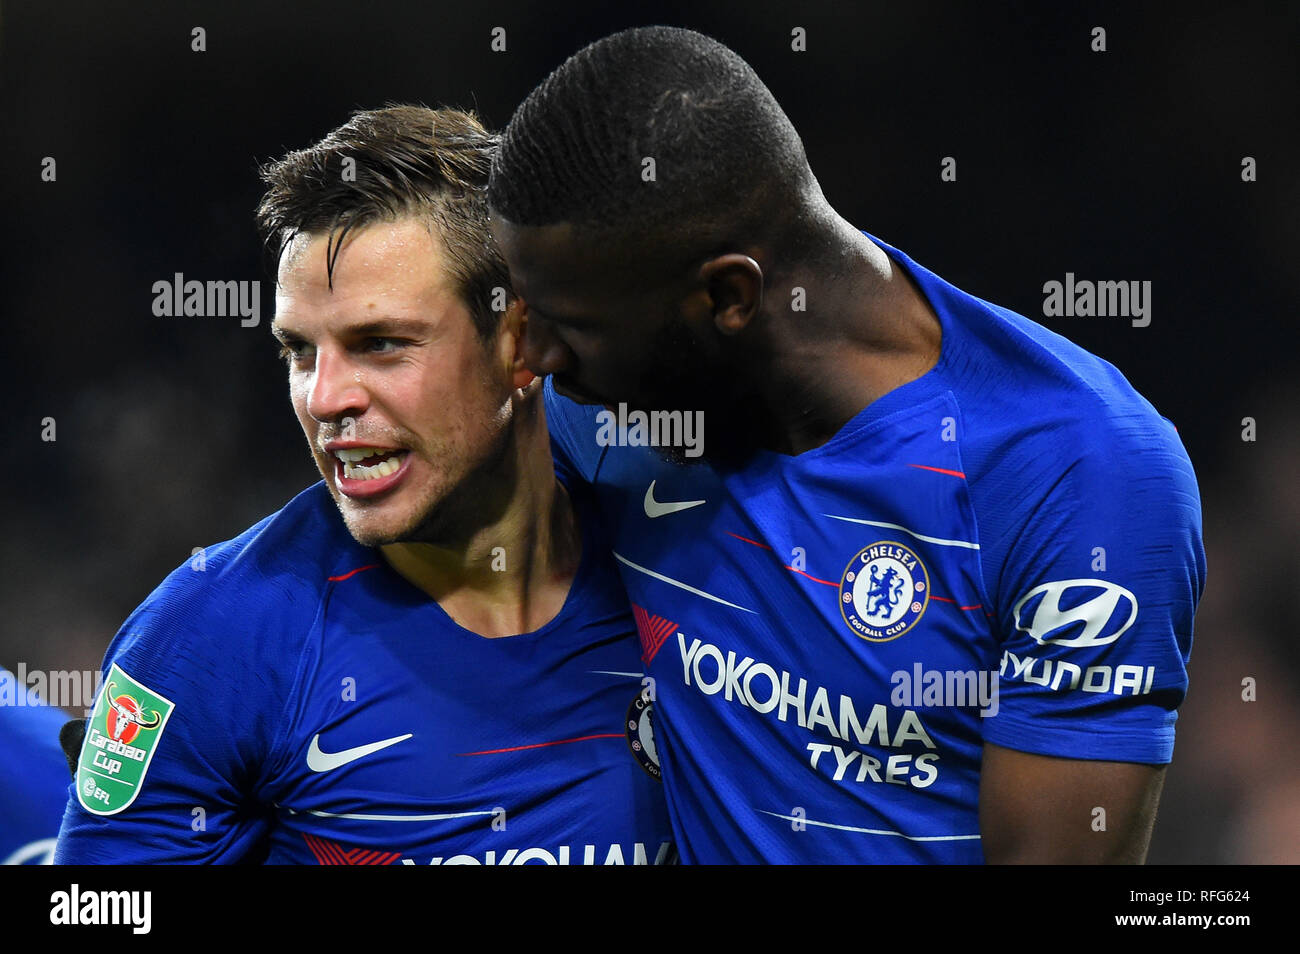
(427, 657)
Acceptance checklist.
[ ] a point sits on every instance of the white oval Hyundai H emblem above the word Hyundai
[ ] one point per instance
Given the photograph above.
(1104, 617)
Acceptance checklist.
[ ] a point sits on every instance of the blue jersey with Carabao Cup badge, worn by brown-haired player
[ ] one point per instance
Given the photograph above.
(288, 697)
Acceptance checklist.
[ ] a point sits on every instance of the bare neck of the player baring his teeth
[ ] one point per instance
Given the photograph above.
(508, 567)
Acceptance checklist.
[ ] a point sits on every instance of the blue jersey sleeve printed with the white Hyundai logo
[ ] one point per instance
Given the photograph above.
(1095, 592)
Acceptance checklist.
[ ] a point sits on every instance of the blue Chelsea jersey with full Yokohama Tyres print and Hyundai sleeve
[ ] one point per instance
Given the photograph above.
(1007, 549)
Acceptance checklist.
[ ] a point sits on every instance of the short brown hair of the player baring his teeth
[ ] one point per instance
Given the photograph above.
(380, 166)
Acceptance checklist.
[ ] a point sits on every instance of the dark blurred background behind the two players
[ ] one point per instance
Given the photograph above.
(175, 433)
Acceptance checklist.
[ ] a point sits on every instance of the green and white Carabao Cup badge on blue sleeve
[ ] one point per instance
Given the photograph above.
(124, 734)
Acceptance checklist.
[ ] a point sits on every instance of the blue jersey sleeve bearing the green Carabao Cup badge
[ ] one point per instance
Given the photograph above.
(188, 719)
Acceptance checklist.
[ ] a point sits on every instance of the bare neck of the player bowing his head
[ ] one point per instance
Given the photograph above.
(868, 331)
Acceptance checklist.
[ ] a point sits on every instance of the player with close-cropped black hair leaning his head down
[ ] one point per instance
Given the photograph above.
(924, 592)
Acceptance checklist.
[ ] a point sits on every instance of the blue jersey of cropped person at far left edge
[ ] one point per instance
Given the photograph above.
(33, 774)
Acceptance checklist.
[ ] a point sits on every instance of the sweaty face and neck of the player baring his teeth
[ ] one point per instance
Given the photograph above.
(387, 355)
